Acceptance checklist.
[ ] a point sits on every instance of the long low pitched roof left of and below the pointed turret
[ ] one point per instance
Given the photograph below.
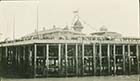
(54, 33)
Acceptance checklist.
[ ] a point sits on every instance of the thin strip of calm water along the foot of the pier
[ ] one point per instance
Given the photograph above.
(94, 78)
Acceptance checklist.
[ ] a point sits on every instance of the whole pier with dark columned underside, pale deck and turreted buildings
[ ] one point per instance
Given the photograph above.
(61, 52)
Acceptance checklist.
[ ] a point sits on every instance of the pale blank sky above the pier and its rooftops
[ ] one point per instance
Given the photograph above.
(120, 16)
